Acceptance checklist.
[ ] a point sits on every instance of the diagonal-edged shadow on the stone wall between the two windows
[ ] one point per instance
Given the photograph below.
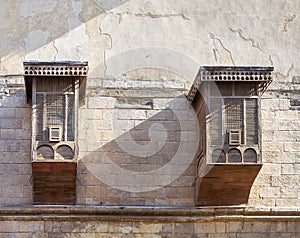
(150, 164)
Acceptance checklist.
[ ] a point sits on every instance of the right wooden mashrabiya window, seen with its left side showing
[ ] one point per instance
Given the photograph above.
(227, 103)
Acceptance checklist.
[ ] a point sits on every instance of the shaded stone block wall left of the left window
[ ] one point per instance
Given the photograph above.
(15, 146)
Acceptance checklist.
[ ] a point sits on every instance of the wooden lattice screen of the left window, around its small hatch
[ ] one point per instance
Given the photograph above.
(55, 107)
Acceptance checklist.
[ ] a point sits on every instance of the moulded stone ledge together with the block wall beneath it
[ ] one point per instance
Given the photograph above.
(149, 222)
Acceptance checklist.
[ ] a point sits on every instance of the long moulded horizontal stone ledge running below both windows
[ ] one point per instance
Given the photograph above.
(148, 213)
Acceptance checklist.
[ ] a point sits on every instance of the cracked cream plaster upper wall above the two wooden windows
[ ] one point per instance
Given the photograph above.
(215, 32)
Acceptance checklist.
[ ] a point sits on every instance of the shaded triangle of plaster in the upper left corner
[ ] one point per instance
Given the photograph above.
(47, 19)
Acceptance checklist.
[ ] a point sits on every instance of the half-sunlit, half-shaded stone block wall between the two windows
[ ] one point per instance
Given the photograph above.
(131, 122)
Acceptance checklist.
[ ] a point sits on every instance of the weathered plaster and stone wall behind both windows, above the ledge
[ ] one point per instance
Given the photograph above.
(143, 54)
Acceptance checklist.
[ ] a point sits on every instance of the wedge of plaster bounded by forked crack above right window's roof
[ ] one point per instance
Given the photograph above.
(225, 55)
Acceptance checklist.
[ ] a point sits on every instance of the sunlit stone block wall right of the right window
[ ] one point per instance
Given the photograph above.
(278, 182)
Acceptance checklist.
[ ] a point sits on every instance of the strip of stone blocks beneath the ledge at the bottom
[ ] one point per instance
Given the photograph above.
(61, 229)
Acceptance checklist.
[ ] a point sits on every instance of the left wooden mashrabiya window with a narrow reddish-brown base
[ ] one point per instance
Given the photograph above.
(54, 88)
